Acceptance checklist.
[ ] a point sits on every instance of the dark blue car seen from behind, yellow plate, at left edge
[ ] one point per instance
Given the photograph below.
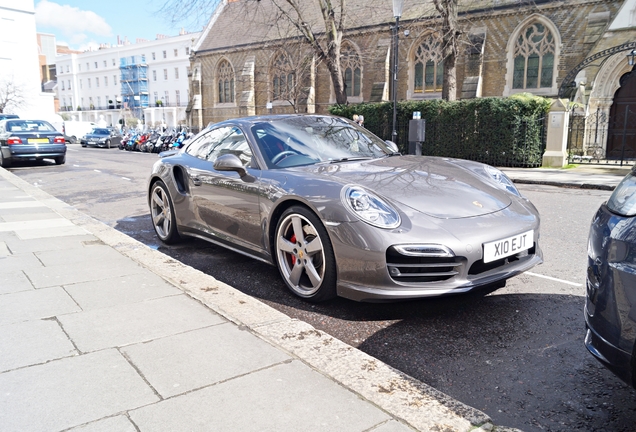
(30, 140)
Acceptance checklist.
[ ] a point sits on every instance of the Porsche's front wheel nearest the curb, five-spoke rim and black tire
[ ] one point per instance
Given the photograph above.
(307, 265)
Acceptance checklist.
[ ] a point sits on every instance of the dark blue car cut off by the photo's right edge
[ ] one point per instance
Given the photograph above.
(610, 307)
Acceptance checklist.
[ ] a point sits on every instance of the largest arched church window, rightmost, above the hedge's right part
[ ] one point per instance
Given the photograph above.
(533, 58)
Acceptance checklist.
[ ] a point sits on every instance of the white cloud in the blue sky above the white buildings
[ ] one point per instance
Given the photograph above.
(71, 21)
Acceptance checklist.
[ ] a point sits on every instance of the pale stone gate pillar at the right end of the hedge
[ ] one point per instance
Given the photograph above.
(556, 155)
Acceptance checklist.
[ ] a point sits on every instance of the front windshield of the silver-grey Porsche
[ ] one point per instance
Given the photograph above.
(306, 140)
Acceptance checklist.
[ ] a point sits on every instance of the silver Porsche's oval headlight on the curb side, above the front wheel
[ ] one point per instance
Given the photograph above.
(369, 207)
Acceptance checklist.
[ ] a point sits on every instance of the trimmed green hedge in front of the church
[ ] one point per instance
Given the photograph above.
(498, 131)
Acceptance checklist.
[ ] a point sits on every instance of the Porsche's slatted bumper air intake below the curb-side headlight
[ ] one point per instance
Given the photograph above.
(404, 268)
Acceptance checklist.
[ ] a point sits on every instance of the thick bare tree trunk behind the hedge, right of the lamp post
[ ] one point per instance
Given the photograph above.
(450, 40)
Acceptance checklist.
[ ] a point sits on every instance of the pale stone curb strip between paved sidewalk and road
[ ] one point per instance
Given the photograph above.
(415, 403)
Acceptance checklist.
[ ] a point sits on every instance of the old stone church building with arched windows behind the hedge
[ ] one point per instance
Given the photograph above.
(250, 61)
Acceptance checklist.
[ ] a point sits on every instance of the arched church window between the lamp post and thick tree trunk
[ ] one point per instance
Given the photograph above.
(428, 73)
